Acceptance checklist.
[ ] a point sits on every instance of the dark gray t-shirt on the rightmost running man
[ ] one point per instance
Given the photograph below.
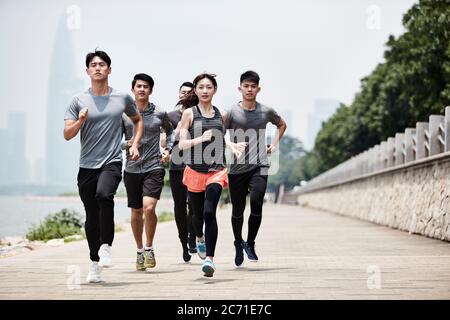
(250, 126)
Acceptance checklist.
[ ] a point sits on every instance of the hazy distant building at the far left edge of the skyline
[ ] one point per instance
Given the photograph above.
(15, 146)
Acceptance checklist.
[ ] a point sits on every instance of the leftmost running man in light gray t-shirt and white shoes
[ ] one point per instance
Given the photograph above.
(97, 115)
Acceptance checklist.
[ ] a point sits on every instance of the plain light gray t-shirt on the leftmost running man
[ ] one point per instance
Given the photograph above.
(101, 134)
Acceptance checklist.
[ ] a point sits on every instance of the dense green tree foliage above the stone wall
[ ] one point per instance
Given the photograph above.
(411, 84)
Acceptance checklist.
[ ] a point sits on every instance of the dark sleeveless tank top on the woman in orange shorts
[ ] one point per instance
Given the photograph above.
(208, 156)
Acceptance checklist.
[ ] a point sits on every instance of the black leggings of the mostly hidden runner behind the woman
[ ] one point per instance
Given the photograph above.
(183, 217)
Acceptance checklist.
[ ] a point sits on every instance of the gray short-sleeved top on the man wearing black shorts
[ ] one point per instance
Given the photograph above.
(155, 119)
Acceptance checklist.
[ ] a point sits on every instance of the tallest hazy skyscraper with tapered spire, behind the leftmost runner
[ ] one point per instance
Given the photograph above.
(61, 155)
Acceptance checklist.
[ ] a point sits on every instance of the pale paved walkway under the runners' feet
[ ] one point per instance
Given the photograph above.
(304, 254)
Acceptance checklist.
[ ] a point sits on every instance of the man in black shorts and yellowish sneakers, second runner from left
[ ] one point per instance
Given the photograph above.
(144, 178)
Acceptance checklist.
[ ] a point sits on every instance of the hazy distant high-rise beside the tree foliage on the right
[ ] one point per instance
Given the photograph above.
(323, 109)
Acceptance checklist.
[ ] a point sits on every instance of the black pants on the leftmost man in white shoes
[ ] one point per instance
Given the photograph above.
(97, 188)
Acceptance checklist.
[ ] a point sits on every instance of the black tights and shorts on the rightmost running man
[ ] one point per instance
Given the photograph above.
(240, 185)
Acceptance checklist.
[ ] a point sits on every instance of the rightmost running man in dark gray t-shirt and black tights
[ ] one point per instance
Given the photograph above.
(247, 123)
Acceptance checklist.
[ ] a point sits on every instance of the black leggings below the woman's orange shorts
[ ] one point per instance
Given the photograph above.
(204, 206)
